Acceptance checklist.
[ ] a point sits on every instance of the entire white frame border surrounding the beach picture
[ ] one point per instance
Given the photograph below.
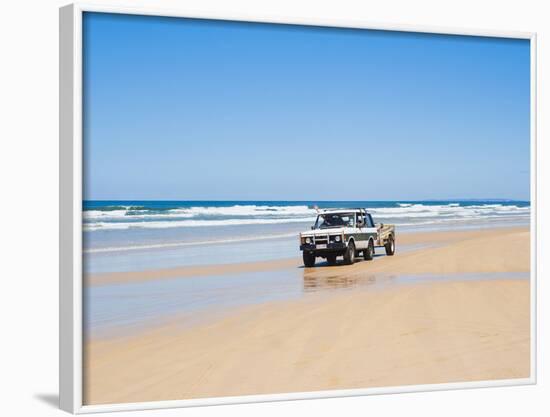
(70, 215)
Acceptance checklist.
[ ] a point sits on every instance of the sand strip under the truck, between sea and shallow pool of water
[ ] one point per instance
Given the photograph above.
(483, 240)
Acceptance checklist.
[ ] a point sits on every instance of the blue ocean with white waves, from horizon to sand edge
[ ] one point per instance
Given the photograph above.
(128, 235)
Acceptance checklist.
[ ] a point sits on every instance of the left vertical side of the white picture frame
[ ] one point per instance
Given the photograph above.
(70, 208)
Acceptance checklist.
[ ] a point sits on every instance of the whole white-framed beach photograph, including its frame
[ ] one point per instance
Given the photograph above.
(257, 209)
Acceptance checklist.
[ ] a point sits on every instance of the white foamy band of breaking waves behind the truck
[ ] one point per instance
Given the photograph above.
(415, 213)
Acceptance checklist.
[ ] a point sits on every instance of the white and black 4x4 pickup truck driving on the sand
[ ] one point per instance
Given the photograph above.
(347, 233)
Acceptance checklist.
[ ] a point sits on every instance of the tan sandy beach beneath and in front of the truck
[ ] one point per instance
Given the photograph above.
(455, 326)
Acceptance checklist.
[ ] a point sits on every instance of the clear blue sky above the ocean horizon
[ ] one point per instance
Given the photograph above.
(190, 110)
